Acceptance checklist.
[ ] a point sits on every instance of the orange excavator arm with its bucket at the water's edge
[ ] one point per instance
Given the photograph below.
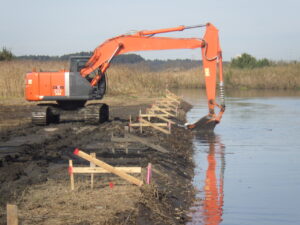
(145, 41)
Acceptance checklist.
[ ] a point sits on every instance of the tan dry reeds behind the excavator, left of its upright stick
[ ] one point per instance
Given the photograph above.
(122, 79)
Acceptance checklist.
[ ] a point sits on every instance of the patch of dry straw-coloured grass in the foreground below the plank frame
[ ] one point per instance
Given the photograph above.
(54, 203)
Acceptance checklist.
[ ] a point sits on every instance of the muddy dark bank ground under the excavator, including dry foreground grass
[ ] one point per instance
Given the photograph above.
(34, 171)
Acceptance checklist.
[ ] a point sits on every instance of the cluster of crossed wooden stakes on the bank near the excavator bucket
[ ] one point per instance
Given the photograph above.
(163, 110)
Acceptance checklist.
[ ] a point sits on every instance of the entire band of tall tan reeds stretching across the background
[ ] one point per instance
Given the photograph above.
(136, 80)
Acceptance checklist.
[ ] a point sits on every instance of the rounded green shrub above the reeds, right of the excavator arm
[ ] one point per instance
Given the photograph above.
(249, 62)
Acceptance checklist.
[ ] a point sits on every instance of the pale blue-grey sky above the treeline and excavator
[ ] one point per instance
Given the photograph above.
(263, 28)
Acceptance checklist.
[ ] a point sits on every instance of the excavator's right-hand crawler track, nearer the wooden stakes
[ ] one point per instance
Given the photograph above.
(96, 113)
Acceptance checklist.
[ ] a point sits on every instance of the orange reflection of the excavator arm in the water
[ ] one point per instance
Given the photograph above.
(210, 209)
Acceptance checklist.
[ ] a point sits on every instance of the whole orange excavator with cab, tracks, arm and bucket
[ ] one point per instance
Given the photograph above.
(86, 78)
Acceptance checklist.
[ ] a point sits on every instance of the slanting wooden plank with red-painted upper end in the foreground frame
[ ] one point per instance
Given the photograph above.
(109, 168)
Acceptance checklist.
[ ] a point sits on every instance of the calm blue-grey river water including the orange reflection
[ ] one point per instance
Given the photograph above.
(248, 171)
